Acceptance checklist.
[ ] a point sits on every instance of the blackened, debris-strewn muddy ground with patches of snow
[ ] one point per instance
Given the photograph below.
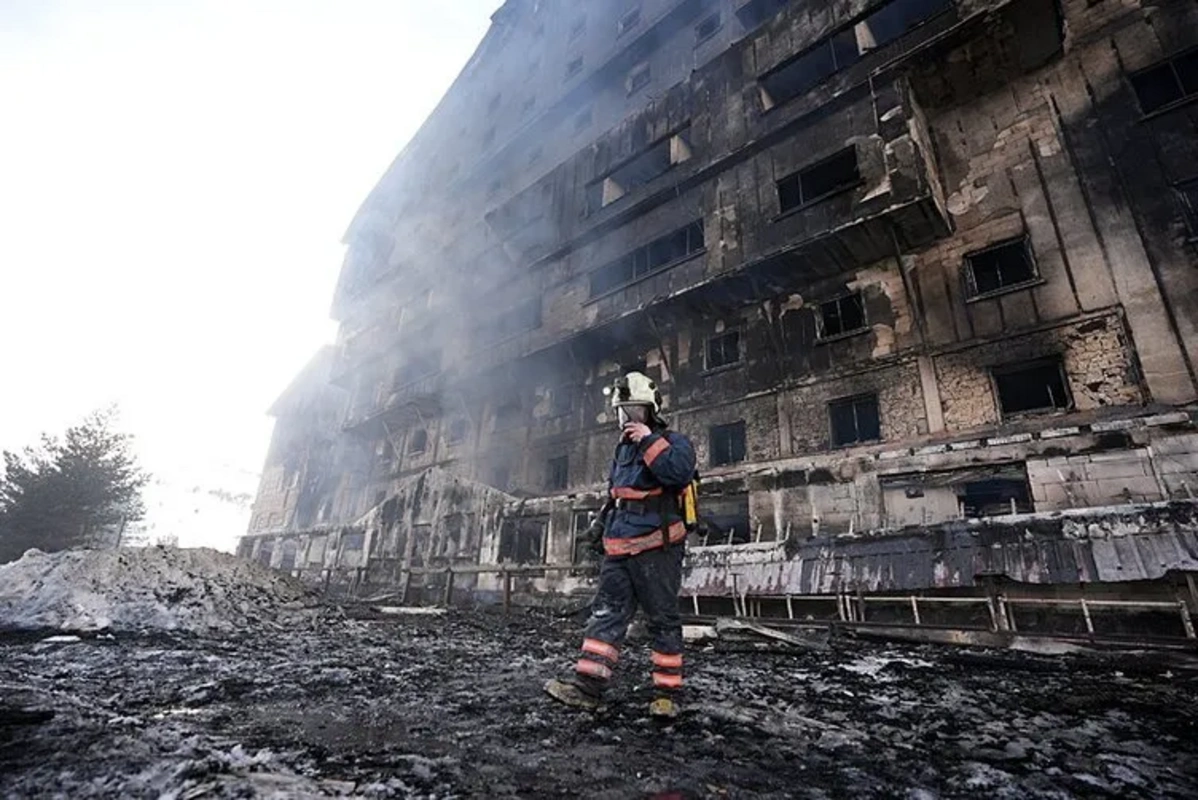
(452, 707)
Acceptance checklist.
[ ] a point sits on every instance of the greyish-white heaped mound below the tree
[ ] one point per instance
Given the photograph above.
(144, 590)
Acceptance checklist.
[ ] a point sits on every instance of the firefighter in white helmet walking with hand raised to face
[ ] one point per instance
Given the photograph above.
(644, 537)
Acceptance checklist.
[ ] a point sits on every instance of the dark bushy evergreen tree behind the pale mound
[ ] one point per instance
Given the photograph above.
(76, 492)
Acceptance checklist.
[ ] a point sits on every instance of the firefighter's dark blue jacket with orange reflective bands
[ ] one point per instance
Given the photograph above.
(646, 480)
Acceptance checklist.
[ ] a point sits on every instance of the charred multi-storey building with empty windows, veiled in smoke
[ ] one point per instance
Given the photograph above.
(918, 277)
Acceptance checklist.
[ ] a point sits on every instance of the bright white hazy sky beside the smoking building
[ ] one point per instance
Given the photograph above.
(176, 178)
